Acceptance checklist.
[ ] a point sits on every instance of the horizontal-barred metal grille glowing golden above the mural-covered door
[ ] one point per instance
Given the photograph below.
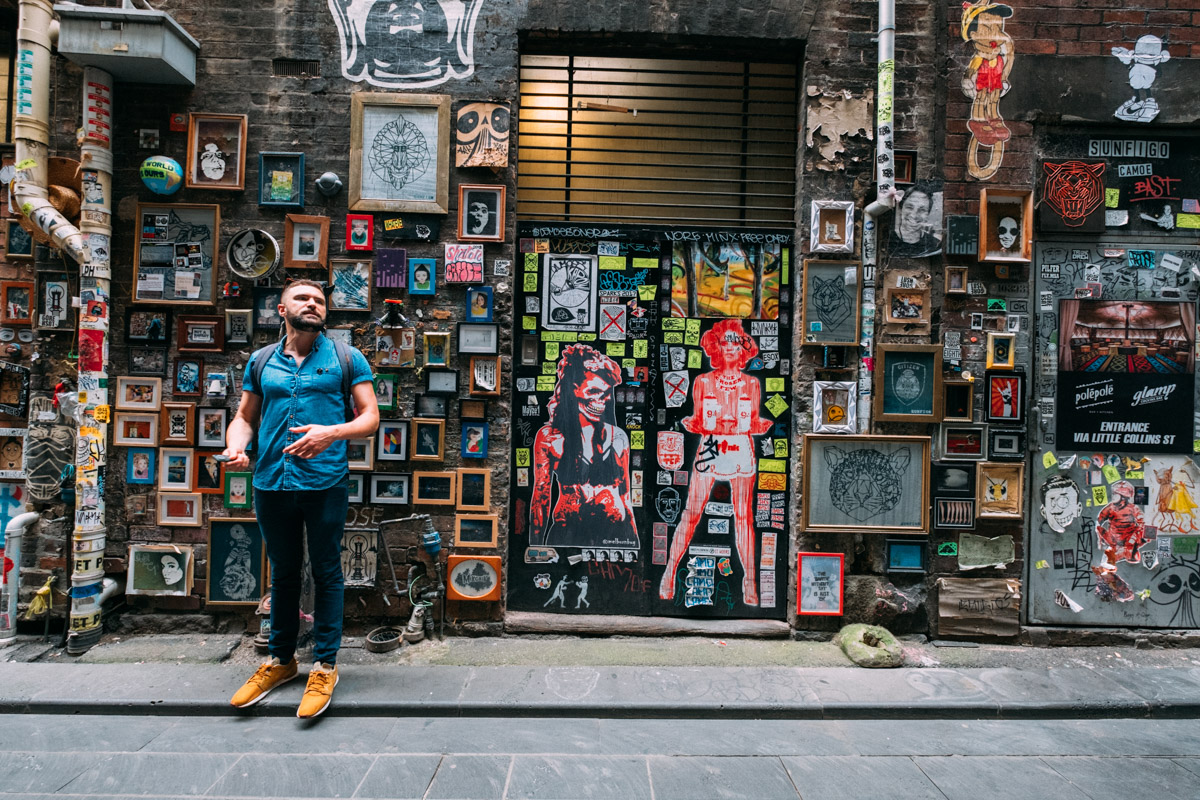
(656, 141)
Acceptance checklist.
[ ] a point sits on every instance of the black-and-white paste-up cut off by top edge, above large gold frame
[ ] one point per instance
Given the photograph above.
(406, 45)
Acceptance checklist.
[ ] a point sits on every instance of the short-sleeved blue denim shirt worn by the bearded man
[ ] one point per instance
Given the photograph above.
(310, 394)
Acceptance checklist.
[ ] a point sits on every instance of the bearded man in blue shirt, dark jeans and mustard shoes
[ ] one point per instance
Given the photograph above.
(301, 484)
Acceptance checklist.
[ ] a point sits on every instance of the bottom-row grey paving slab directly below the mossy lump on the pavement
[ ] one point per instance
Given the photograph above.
(851, 778)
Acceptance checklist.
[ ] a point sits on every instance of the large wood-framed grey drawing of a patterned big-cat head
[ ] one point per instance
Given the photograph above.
(891, 472)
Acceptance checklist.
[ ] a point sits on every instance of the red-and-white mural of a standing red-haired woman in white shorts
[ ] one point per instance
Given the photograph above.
(725, 414)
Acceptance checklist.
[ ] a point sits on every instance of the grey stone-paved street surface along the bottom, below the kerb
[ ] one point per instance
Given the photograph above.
(161, 757)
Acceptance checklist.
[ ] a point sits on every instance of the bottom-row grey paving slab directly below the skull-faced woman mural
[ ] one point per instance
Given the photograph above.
(569, 778)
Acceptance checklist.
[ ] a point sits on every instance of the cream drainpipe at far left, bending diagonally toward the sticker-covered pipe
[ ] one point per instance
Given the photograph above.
(32, 129)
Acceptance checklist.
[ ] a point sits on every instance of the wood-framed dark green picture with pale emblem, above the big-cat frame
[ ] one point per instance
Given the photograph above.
(909, 383)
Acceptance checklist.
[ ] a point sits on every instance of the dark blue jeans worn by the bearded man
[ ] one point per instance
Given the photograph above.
(285, 518)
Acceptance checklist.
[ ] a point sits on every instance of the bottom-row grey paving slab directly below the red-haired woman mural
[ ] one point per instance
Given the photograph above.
(687, 779)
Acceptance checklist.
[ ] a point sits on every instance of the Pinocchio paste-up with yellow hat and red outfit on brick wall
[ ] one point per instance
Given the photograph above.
(986, 82)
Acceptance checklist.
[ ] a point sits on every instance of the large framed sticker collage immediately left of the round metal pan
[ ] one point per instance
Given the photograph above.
(176, 254)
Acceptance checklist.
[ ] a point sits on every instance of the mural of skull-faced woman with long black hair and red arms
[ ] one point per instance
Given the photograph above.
(586, 455)
